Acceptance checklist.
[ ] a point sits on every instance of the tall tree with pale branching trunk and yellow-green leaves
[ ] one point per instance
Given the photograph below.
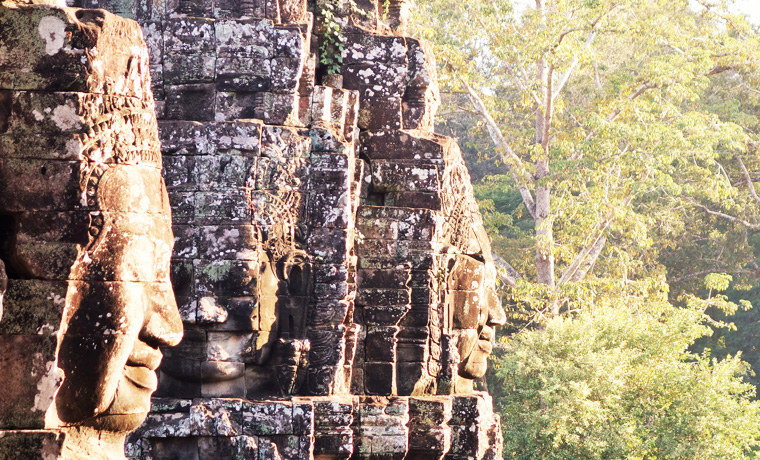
(604, 114)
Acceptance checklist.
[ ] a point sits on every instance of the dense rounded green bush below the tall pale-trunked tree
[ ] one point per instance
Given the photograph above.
(618, 382)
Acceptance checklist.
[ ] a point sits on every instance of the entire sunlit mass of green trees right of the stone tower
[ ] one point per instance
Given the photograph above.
(624, 214)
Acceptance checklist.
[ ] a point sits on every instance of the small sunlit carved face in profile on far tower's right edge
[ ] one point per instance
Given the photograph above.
(475, 310)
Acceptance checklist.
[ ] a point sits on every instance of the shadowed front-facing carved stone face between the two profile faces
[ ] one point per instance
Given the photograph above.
(229, 353)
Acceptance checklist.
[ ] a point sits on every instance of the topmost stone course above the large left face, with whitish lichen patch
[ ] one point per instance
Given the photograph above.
(60, 57)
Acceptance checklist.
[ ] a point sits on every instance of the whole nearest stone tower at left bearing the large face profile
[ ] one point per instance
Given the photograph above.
(85, 234)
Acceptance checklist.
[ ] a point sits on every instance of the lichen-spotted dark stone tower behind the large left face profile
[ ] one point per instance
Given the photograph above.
(331, 267)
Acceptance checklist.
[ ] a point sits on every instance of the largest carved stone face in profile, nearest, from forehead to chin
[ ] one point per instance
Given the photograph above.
(119, 306)
